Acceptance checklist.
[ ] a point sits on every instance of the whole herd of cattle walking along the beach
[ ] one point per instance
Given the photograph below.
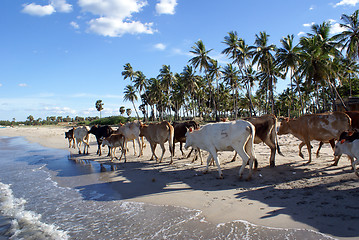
(238, 136)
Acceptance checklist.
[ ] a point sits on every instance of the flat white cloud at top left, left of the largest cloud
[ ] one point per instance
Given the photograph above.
(44, 10)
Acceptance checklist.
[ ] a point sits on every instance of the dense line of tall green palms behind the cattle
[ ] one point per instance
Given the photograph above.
(321, 69)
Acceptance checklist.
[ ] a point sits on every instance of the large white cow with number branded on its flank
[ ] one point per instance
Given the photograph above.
(225, 136)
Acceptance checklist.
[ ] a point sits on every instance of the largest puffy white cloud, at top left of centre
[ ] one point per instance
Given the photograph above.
(115, 17)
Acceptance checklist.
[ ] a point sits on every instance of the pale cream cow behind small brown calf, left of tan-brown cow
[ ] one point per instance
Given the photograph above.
(131, 131)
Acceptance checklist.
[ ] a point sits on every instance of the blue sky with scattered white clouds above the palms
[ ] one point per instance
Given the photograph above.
(58, 57)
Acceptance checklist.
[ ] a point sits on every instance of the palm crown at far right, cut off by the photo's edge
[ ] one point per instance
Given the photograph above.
(349, 38)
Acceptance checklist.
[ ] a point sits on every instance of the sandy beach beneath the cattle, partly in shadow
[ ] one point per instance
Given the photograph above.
(317, 196)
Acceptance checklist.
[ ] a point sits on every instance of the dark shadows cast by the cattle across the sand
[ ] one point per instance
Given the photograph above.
(308, 194)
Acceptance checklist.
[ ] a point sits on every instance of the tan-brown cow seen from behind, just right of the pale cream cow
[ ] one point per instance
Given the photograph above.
(158, 133)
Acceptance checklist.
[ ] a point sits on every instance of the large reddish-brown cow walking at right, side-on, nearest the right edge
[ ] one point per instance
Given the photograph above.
(321, 127)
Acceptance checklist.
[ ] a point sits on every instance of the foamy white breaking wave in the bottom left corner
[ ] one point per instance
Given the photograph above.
(25, 224)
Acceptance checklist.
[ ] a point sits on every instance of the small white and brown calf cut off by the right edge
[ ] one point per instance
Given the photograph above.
(348, 144)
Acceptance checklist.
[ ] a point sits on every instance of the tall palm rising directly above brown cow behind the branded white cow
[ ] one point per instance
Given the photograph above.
(262, 54)
